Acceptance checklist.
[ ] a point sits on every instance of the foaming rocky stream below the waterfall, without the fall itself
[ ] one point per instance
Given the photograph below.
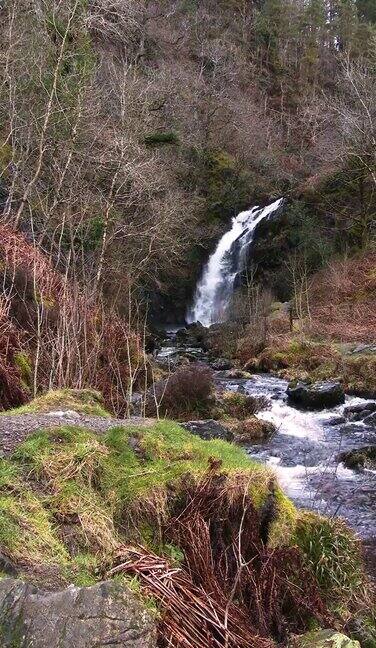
(304, 451)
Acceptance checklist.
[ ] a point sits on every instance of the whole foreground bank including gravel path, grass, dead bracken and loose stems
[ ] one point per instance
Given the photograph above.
(154, 502)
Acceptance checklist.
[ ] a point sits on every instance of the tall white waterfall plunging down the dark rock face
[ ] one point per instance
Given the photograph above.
(215, 287)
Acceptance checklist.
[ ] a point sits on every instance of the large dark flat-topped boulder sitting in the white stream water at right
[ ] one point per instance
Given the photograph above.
(316, 396)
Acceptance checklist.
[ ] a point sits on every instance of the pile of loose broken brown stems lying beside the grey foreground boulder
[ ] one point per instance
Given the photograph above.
(192, 618)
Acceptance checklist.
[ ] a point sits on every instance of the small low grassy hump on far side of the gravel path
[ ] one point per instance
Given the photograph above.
(84, 401)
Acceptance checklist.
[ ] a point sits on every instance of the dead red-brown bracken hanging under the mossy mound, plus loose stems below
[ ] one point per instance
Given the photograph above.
(232, 591)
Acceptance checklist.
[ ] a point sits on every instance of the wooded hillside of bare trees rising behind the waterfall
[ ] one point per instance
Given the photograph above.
(146, 125)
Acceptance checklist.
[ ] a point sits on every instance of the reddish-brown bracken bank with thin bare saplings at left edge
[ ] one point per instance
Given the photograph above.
(66, 332)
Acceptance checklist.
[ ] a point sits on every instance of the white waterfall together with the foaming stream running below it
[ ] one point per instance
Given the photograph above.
(304, 451)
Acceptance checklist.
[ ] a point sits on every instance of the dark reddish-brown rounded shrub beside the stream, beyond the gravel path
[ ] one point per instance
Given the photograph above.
(184, 394)
